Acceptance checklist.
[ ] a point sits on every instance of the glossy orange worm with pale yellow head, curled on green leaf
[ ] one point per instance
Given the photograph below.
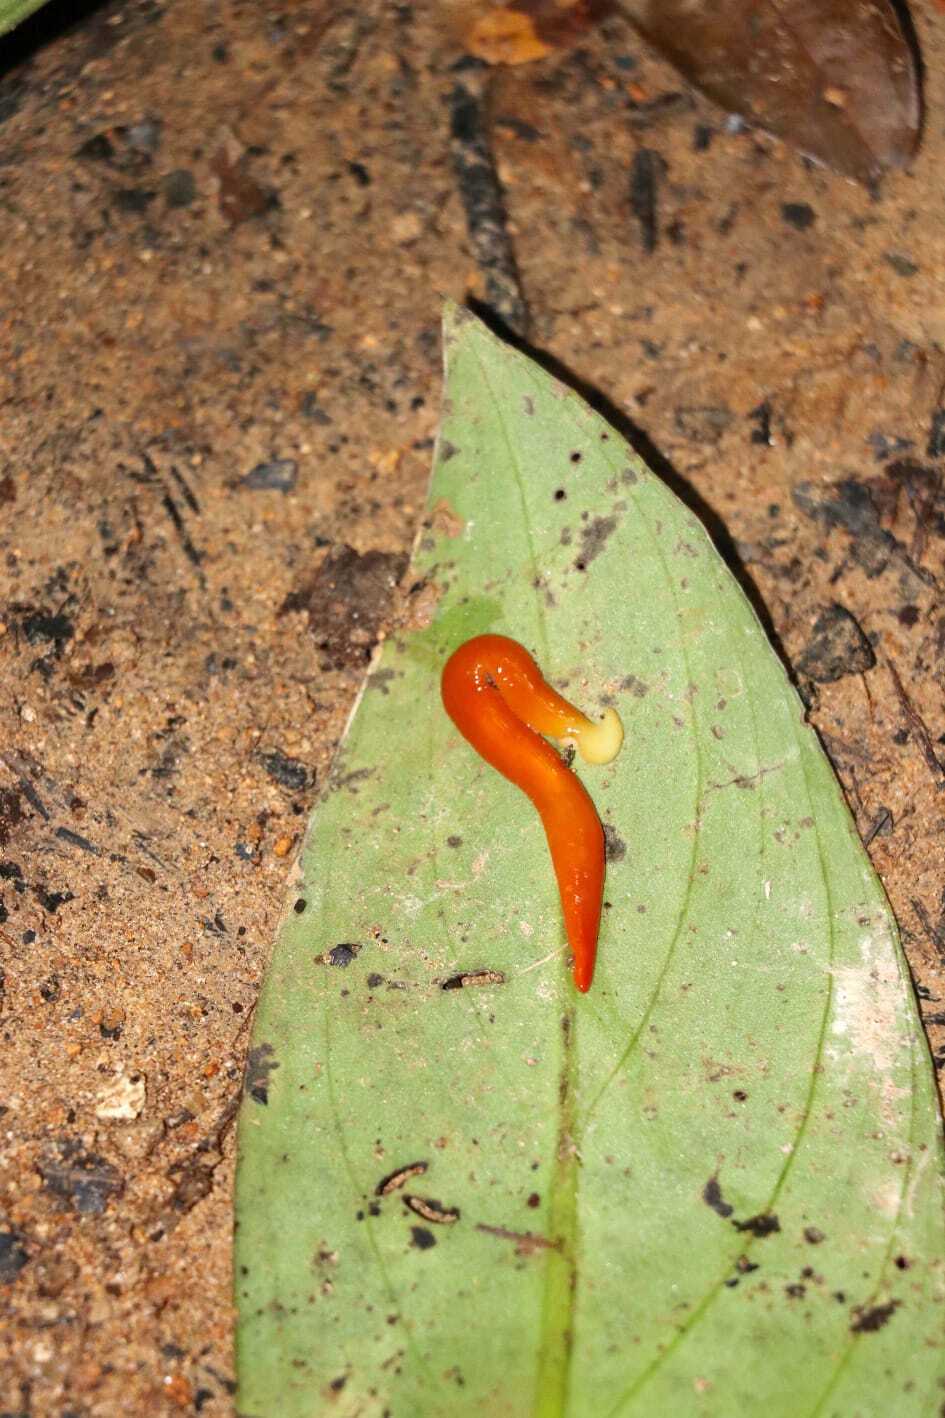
(499, 700)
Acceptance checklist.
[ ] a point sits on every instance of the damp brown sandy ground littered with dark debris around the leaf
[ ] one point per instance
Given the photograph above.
(228, 232)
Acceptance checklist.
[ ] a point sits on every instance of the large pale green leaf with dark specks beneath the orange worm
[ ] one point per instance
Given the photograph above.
(712, 1186)
